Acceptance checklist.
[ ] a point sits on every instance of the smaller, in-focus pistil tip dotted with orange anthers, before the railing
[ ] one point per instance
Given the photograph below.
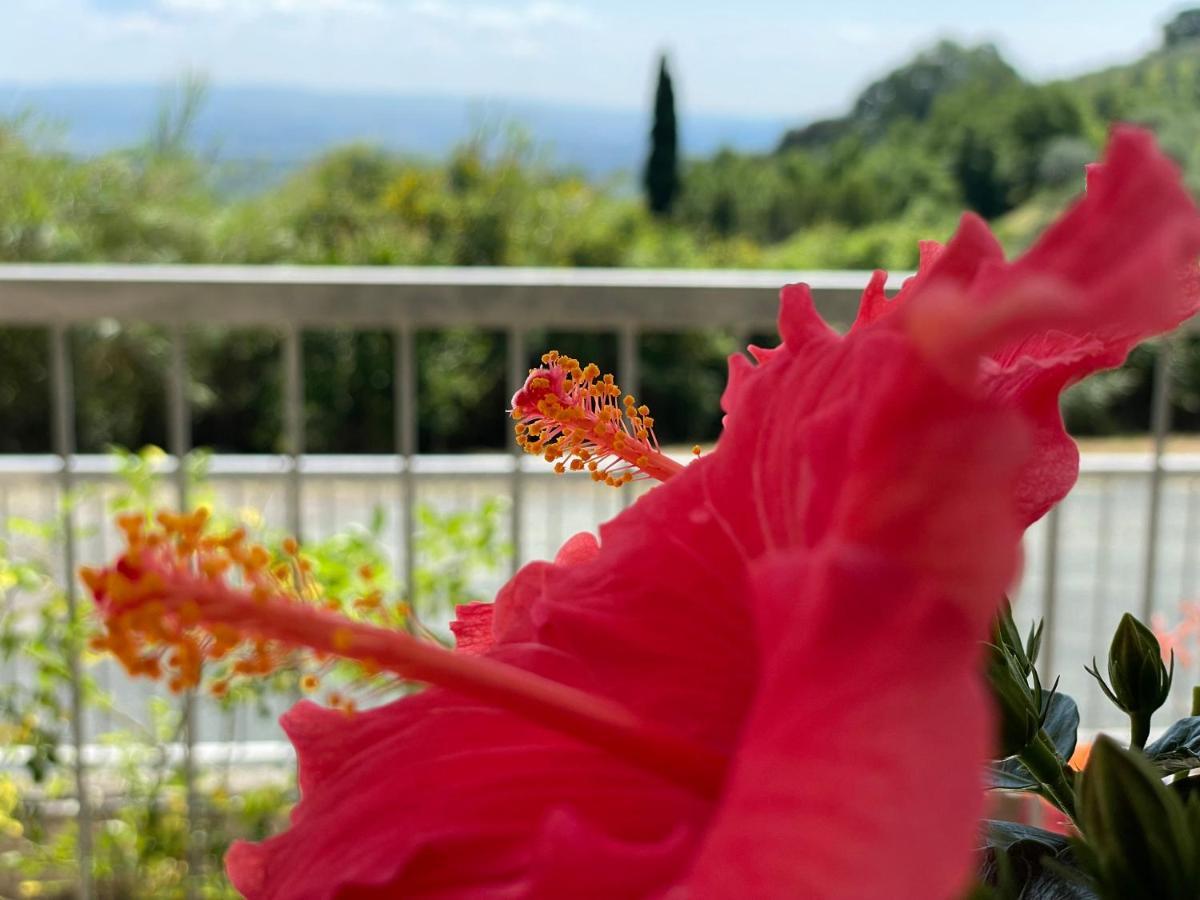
(577, 418)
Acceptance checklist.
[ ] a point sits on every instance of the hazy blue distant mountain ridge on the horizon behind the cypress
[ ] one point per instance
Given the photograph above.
(279, 129)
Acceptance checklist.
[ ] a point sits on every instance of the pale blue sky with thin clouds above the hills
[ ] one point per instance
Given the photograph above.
(754, 58)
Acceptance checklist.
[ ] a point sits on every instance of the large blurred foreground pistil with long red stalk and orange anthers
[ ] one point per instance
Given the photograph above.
(170, 607)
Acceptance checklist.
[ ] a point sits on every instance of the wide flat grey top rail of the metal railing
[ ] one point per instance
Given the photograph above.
(416, 296)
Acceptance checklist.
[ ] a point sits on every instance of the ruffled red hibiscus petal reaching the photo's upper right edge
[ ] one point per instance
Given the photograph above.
(1118, 268)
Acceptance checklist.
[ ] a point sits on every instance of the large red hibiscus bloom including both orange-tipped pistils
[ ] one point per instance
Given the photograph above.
(763, 680)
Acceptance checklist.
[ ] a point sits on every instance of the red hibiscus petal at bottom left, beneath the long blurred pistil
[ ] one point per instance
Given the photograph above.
(448, 800)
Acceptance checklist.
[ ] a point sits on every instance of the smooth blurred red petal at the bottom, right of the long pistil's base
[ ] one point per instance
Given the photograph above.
(838, 793)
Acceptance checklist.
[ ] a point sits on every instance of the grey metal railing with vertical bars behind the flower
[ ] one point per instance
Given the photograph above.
(514, 302)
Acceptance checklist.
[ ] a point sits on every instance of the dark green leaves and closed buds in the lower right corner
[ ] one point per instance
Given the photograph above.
(1135, 836)
